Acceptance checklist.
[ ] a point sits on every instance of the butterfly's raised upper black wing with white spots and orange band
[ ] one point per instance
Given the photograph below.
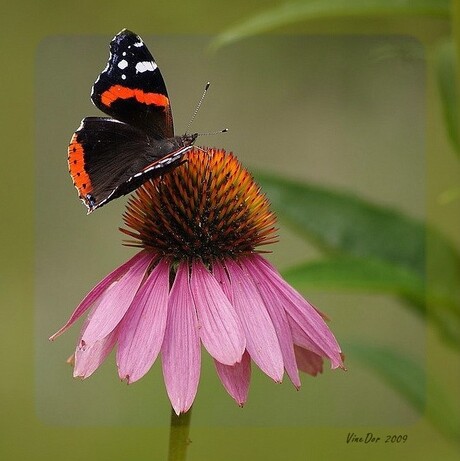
(131, 88)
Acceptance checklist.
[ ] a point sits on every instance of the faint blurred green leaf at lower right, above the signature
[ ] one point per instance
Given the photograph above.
(409, 379)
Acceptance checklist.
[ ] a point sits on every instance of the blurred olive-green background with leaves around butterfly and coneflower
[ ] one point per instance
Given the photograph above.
(351, 101)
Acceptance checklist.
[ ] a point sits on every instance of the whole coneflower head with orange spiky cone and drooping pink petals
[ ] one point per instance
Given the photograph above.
(200, 279)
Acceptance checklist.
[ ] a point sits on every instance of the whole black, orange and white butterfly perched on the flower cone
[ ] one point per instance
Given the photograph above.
(110, 157)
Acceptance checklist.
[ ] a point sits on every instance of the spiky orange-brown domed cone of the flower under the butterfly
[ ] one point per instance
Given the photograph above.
(208, 208)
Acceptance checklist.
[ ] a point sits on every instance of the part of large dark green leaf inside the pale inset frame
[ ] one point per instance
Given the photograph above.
(345, 224)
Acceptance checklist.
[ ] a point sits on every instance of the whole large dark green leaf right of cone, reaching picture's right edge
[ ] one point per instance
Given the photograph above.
(383, 240)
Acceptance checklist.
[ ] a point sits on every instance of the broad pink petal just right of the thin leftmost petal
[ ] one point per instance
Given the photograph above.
(116, 301)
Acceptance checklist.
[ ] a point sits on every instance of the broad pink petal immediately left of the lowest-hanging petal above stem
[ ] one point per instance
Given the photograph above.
(143, 327)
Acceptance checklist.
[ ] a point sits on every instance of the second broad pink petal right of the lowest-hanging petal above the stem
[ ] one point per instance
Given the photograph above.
(261, 340)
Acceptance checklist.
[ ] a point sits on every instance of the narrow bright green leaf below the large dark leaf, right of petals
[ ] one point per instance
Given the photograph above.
(357, 274)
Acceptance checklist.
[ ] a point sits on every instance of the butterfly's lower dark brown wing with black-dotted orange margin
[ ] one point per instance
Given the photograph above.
(108, 158)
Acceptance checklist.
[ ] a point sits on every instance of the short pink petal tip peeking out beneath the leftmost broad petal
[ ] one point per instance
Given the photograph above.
(89, 358)
